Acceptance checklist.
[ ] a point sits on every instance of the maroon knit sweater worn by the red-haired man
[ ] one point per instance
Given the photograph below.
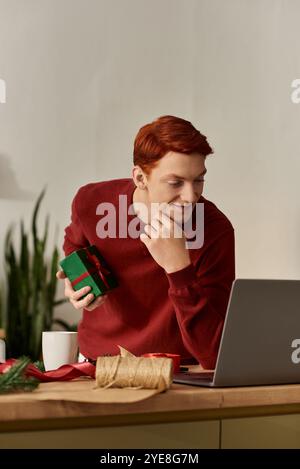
(152, 311)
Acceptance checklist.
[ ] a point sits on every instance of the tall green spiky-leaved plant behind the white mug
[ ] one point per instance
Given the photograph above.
(30, 290)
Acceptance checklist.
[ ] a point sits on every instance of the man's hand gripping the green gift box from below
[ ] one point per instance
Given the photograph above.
(75, 295)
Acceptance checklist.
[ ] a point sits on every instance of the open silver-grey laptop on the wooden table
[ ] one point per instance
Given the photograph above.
(260, 342)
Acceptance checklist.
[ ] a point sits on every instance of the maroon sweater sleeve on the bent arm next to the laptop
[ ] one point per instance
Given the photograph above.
(200, 294)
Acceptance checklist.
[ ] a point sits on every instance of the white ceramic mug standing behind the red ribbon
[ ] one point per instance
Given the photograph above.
(59, 348)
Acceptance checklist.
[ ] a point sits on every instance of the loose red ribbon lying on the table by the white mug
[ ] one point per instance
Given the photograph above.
(63, 373)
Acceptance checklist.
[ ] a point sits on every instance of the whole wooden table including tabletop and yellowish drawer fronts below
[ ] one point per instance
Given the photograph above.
(182, 417)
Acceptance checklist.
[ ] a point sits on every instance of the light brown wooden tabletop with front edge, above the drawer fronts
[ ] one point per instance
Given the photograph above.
(180, 403)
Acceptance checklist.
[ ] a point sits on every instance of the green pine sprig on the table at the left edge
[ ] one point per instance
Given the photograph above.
(15, 379)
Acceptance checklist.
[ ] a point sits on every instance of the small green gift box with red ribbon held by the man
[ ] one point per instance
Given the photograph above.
(86, 267)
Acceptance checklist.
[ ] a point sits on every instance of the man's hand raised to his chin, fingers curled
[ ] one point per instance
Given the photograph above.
(167, 250)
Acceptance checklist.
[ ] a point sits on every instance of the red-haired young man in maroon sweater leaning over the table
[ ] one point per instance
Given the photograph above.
(172, 297)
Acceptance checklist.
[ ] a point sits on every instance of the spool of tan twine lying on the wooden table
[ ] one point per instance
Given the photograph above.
(134, 372)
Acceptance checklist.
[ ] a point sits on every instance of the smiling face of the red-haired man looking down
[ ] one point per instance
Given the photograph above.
(177, 180)
